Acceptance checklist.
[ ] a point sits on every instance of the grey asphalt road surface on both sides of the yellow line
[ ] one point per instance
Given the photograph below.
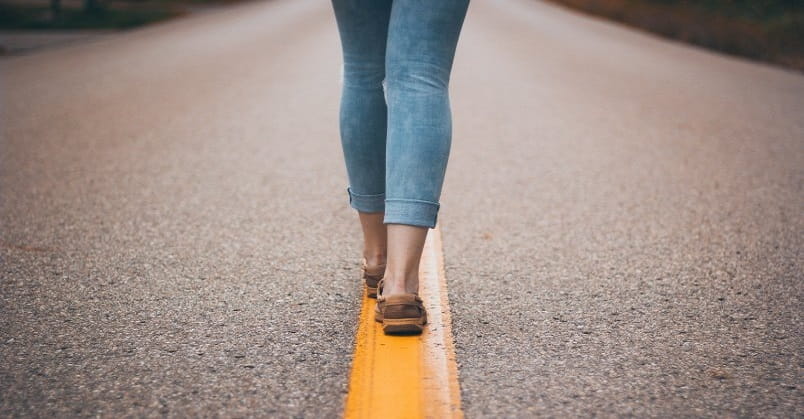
(622, 222)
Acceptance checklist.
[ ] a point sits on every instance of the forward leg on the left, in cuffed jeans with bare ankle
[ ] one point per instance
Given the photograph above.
(363, 29)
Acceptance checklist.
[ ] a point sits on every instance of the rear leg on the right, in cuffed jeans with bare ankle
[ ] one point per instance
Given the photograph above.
(422, 38)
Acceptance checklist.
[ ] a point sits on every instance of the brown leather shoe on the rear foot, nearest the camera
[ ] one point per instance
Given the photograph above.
(401, 314)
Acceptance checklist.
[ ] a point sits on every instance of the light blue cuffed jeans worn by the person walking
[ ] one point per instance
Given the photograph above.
(395, 118)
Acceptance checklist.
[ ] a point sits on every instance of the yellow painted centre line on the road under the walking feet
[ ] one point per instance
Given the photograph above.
(408, 376)
